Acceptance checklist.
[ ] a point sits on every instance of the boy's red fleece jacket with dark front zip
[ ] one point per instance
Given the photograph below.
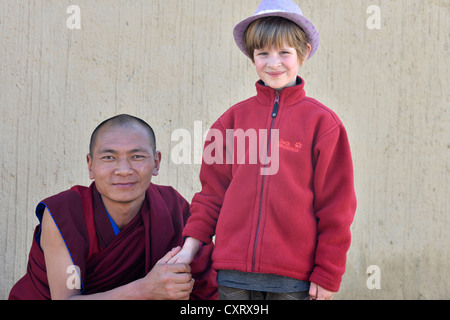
(294, 223)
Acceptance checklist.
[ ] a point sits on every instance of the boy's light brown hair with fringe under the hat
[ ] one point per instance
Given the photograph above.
(275, 32)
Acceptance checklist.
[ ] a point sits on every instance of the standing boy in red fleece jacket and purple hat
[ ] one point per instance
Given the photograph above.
(284, 233)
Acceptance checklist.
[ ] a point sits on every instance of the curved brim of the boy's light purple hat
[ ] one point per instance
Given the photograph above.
(311, 32)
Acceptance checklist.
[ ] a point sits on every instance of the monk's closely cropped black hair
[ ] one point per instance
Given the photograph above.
(123, 120)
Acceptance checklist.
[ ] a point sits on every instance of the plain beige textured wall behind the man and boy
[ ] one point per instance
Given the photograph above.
(175, 62)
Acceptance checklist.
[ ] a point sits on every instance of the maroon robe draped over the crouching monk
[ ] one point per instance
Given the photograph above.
(105, 260)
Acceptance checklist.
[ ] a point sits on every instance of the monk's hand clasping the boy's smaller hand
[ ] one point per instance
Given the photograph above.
(168, 281)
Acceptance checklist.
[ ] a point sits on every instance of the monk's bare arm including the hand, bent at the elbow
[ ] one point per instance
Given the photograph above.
(164, 281)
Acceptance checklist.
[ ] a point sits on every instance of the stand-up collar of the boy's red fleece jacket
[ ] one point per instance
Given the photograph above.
(289, 96)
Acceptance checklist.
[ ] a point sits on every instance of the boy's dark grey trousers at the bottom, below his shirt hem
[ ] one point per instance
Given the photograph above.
(227, 293)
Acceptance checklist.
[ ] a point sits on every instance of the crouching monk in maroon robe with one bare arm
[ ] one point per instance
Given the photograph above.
(113, 240)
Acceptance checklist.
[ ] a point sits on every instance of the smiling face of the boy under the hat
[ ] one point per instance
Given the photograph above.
(278, 68)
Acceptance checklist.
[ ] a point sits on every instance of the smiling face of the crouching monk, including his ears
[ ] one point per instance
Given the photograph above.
(122, 164)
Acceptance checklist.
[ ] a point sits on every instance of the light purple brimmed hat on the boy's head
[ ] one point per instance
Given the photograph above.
(278, 8)
